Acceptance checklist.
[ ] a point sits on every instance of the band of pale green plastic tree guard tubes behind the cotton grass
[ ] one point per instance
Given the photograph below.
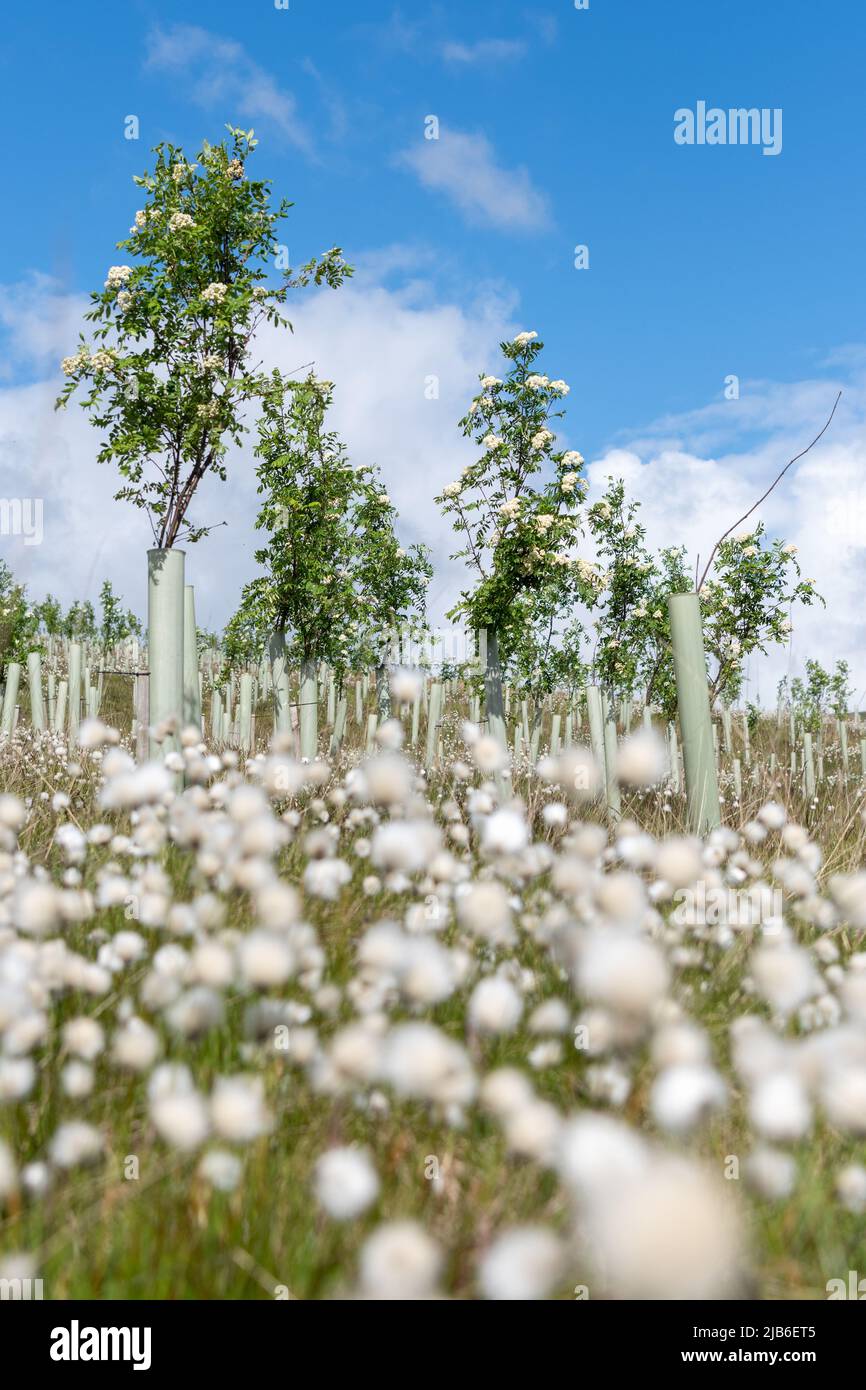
(170, 693)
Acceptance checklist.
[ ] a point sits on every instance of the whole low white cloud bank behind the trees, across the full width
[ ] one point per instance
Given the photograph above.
(382, 345)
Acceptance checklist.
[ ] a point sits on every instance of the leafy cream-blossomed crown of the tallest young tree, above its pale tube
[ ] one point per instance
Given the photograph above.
(169, 372)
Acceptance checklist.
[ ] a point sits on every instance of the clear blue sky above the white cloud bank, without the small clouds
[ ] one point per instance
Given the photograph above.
(703, 262)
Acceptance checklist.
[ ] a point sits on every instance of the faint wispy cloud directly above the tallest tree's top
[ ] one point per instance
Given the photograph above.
(223, 74)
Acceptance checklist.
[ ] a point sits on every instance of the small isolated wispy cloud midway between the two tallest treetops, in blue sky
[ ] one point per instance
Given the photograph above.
(465, 169)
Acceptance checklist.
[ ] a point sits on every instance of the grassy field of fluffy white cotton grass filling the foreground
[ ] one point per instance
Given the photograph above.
(743, 1179)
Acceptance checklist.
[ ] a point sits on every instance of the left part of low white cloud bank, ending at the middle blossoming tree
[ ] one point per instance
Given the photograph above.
(380, 347)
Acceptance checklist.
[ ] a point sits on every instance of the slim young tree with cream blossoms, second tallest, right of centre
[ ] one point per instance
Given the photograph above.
(519, 537)
